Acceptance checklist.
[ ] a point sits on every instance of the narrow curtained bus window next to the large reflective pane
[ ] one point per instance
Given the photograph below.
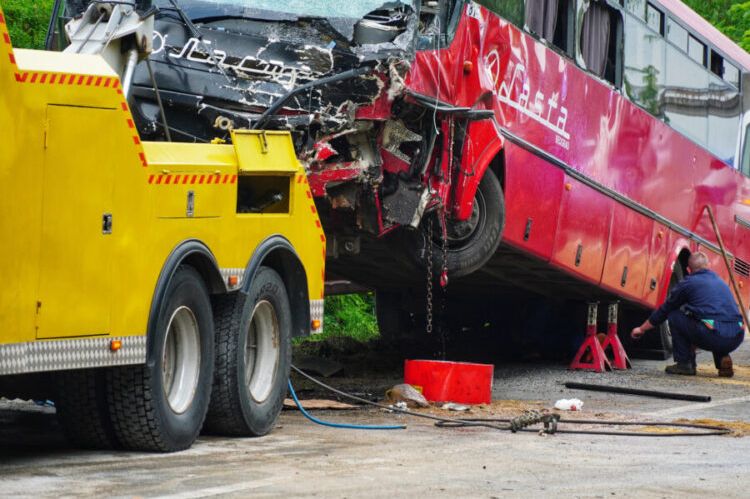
(601, 36)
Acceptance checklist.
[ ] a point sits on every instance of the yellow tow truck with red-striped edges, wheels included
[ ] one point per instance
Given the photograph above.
(150, 289)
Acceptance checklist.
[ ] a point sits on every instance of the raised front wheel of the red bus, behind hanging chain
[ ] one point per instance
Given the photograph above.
(470, 243)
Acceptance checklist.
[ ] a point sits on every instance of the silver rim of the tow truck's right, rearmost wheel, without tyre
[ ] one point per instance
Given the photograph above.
(262, 351)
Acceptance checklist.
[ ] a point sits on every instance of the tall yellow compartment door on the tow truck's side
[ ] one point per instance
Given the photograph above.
(75, 281)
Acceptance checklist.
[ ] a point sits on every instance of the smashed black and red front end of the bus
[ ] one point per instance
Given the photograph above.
(380, 99)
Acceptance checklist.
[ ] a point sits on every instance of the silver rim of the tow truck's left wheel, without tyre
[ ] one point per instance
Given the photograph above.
(181, 360)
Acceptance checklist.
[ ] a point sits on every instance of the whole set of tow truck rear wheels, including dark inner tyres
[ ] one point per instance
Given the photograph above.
(225, 363)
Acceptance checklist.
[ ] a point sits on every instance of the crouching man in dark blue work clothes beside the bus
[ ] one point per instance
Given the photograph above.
(701, 313)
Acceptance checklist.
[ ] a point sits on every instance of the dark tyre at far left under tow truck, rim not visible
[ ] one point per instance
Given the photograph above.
(82, 409)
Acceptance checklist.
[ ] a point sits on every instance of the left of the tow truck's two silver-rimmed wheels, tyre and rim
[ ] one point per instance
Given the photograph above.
(161, 406)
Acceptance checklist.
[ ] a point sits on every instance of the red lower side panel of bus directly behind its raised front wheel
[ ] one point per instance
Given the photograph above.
(533, 190)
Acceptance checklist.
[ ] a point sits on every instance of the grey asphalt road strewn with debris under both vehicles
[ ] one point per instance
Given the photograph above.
(302, 459)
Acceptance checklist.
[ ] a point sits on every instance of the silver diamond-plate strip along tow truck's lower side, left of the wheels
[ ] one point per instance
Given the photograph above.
(57, 355)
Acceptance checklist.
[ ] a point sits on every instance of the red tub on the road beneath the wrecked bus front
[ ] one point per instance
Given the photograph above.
(442, 381)
